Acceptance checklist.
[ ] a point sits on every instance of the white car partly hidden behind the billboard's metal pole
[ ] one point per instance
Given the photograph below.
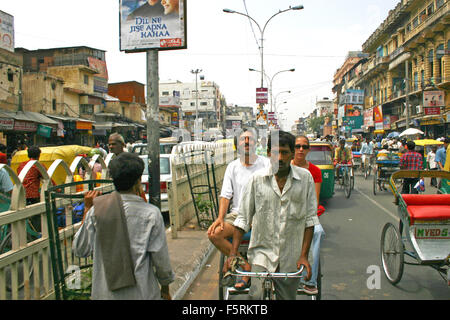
(165, 169)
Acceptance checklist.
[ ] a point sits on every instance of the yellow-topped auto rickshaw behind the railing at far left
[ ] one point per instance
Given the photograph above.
(49, 155)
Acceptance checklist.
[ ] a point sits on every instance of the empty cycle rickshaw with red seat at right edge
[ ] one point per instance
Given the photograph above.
(423, 232)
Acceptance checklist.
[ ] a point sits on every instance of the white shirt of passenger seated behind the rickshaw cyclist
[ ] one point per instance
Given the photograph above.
(237, 176)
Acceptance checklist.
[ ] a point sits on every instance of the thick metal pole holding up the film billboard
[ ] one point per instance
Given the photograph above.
(153, 127)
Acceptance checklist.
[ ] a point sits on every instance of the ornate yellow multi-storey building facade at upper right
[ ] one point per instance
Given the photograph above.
(406, 79)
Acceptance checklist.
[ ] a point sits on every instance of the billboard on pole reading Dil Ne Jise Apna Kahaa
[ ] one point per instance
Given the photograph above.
(152, 24)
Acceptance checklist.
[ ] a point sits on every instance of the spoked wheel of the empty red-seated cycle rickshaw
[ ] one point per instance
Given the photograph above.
(392, 253)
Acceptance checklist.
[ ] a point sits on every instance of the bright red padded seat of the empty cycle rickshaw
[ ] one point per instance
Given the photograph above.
(427, 206)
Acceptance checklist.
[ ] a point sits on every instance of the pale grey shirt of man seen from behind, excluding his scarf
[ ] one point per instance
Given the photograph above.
(148, 246)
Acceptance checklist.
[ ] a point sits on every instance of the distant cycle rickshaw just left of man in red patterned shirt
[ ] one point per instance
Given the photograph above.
(386, 163)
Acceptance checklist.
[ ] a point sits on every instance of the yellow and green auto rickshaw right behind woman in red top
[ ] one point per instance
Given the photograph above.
(321, 154)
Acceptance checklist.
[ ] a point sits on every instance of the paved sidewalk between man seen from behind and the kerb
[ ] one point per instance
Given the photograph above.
(188, 254)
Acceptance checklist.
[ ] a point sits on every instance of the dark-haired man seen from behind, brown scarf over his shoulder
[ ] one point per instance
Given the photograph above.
(127, 238)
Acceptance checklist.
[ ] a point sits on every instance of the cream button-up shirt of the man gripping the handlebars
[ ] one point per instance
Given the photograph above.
(278, 220)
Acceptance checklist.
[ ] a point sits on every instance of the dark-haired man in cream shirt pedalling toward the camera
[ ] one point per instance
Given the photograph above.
(280, 205)
